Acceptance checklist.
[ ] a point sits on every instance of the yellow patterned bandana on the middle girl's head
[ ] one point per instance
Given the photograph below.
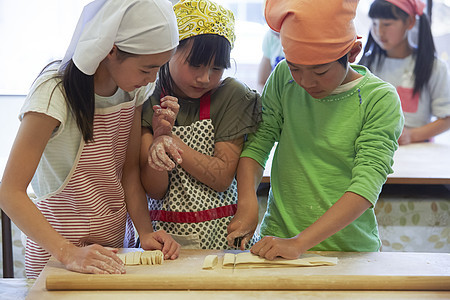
(195, 17)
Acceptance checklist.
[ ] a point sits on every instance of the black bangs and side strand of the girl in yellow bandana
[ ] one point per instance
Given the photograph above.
(204, 48)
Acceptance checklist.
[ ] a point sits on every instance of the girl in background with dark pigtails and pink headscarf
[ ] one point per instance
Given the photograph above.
(421, 78)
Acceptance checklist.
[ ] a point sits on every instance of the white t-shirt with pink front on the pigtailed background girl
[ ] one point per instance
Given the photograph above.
(434, 99)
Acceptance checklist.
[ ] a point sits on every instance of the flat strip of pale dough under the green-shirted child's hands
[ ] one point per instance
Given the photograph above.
(246, 260)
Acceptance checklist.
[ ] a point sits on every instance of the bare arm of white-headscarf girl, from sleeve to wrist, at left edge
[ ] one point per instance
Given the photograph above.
(31, 140)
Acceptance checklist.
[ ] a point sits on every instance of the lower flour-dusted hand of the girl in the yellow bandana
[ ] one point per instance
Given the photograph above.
(161, 153)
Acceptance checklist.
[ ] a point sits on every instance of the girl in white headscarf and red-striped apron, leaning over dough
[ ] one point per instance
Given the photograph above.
(79, 136)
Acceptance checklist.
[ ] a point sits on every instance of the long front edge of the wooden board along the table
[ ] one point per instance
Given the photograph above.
(233, 282)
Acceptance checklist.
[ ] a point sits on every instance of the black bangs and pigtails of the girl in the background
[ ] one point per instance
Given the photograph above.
(424, 54)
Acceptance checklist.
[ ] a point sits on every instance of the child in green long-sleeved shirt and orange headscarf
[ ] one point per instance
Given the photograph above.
(336, 126)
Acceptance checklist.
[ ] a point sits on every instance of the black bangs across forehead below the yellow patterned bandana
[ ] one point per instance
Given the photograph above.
(205, 47)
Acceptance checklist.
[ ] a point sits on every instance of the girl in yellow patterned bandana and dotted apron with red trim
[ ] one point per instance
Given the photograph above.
(195, 200)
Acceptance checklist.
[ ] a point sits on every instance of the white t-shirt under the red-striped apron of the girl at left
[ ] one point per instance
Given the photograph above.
(59, 154)
